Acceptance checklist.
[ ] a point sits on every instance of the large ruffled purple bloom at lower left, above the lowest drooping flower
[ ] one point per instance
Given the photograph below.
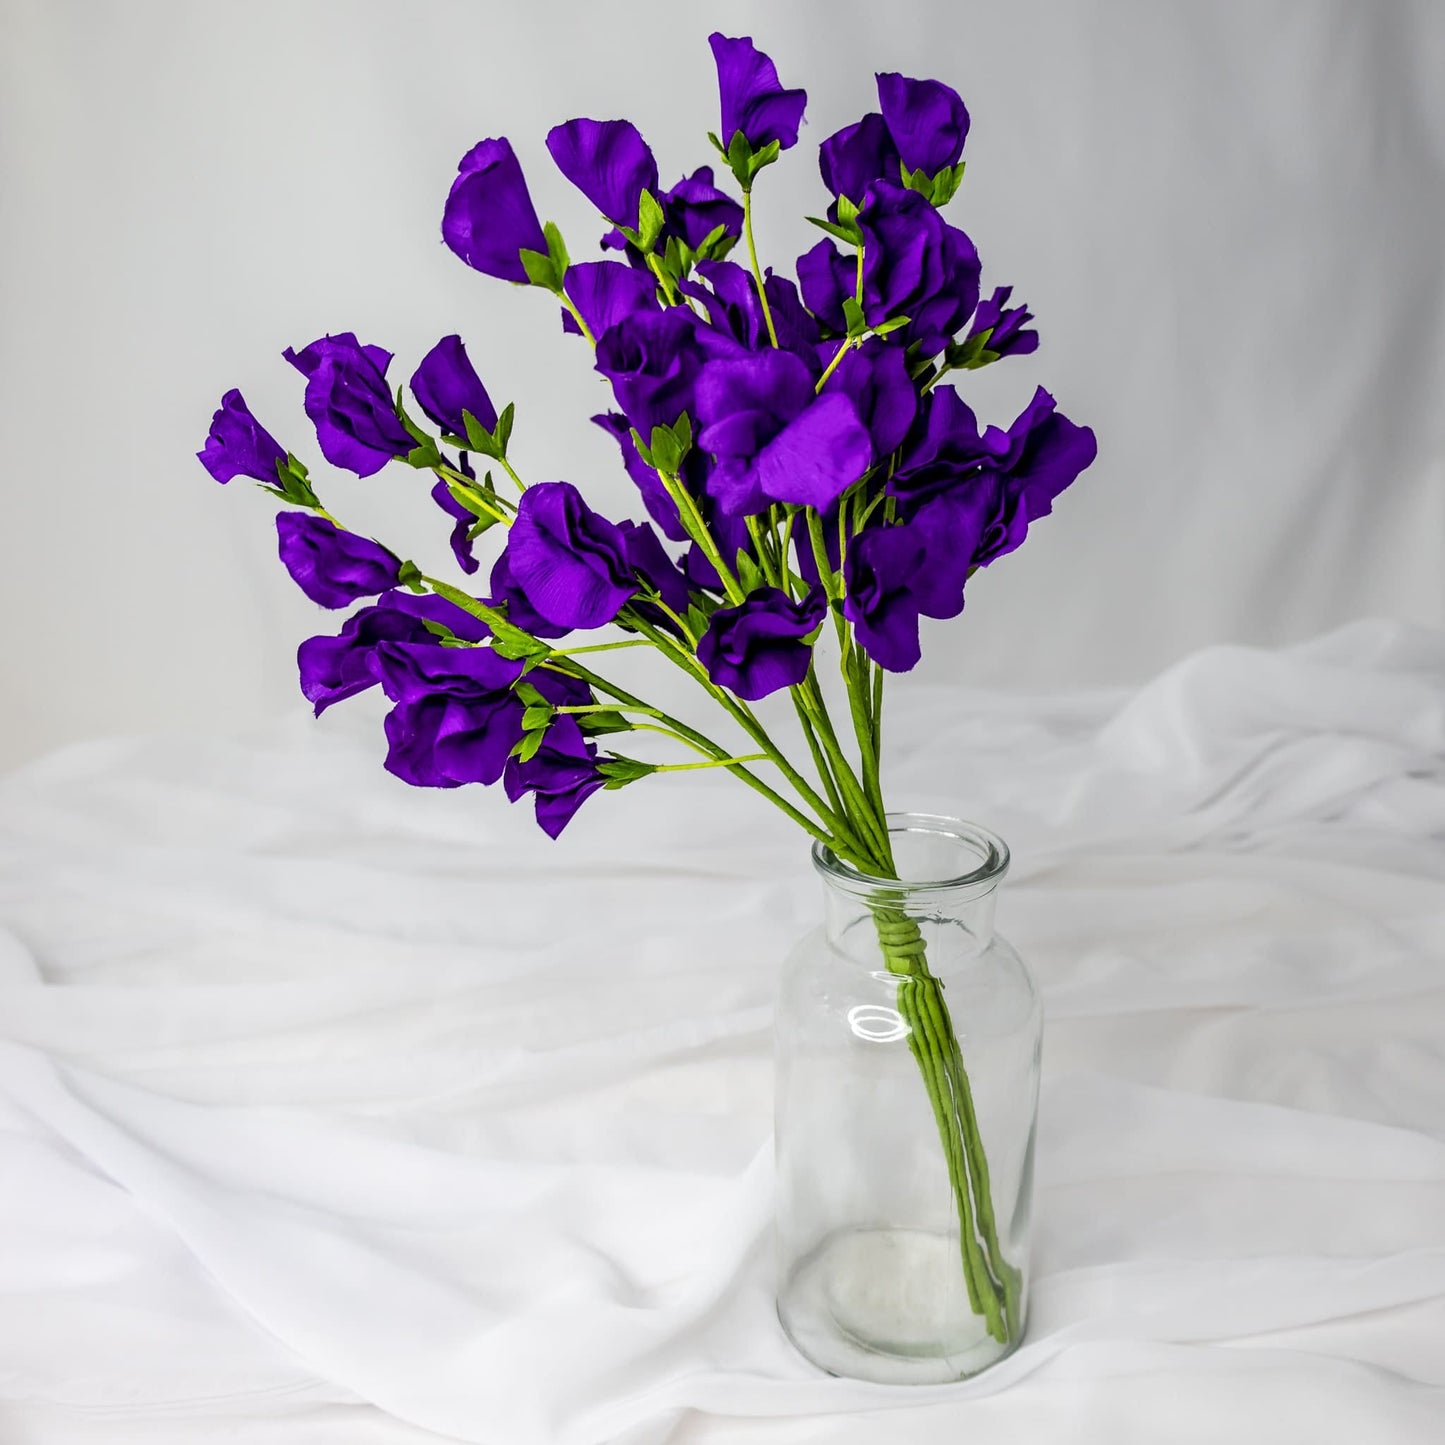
(456, 717)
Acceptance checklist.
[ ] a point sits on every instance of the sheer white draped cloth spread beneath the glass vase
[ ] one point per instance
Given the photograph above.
(336, 1112)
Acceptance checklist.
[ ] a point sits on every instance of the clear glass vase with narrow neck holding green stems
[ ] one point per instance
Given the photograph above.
(908, 1079)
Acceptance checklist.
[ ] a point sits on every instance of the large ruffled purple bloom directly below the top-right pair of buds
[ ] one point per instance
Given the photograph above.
(915, 265)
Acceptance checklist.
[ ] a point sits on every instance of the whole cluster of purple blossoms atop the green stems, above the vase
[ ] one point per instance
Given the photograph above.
(794, 446)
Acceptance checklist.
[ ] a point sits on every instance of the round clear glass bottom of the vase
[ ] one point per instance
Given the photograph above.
(889, 1307)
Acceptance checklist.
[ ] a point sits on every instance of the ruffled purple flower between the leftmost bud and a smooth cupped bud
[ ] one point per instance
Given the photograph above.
(350, 404)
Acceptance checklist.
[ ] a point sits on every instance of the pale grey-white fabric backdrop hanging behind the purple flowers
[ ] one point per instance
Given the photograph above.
(1228, 217)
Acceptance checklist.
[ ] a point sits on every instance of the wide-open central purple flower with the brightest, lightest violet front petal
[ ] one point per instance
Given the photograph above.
(774, 439)
